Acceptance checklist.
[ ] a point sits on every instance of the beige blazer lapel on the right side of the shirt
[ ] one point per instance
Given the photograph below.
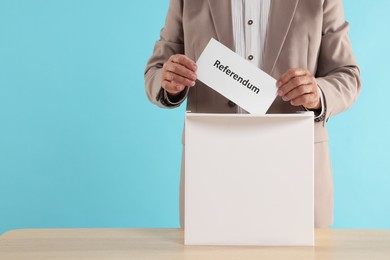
(280, 18)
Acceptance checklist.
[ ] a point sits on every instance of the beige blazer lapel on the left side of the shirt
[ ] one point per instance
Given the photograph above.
(221, 12)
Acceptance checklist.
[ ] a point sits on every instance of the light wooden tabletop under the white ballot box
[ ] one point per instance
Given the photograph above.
(146, 244)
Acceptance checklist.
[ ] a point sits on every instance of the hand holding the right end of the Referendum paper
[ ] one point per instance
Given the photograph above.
(299, 87)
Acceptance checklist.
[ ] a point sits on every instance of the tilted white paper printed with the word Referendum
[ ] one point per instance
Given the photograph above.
(236, 78)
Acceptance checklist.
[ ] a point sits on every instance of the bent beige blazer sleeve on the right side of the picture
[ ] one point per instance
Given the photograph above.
(338, 74)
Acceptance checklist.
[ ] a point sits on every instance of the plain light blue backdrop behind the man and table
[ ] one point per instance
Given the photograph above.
(81, 146)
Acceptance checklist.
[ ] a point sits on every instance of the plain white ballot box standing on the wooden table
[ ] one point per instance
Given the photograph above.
(249, 179)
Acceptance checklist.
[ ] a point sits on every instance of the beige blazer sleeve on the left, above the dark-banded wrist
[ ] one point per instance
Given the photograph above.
(171, 42)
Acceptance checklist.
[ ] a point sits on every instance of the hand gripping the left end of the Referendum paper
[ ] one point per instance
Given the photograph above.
(178, 72)
